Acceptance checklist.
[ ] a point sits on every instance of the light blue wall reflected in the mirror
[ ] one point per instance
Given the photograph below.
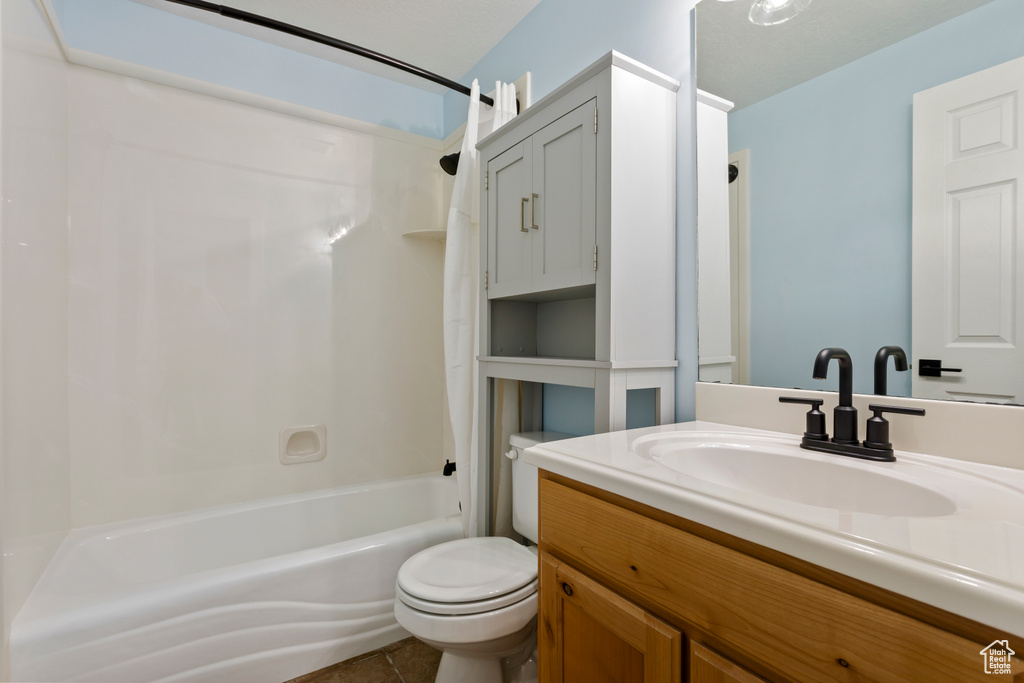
(831, 195)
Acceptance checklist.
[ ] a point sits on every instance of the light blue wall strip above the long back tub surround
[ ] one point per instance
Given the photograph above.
(137, 34)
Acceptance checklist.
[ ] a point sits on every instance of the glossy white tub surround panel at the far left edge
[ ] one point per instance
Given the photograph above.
(35, 438)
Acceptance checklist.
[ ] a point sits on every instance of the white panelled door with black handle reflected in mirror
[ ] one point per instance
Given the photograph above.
(969, 237)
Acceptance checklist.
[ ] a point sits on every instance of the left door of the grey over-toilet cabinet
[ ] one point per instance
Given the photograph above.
(509, 269)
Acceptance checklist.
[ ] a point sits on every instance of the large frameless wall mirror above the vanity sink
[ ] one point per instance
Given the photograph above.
(836, 191)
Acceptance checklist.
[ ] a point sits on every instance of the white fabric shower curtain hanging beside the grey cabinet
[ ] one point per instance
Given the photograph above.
(462, 283)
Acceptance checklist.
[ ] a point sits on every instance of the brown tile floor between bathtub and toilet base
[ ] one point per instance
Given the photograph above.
(405, 662)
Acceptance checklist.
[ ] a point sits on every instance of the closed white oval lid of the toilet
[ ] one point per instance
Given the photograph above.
(468, 571)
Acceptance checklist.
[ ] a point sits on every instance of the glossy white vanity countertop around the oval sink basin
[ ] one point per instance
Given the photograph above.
(969, 562)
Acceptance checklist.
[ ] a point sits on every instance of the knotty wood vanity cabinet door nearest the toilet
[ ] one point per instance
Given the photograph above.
(589, 633)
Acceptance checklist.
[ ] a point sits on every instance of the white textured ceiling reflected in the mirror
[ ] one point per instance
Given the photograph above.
(745, 64)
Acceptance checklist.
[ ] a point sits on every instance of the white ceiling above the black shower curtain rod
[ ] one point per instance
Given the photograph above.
(447, 37)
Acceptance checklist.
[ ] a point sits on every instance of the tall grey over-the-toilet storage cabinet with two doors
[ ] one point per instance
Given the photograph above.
(578, 205)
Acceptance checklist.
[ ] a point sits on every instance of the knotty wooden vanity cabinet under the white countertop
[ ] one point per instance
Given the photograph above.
(629, 593)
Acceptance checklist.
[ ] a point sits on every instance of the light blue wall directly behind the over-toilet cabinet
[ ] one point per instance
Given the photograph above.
(557, 41)
